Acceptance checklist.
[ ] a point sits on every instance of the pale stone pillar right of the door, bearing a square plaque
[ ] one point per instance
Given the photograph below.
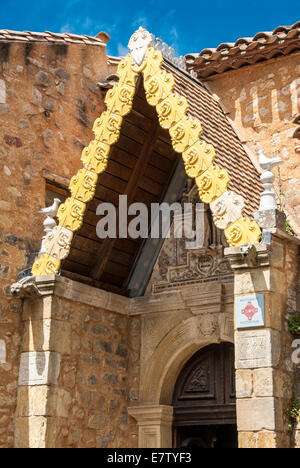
(264, 368)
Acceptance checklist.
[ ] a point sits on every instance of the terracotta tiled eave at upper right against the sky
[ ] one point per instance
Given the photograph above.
(263, 46)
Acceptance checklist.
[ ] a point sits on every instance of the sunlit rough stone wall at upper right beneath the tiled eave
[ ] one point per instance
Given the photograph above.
(262, 101)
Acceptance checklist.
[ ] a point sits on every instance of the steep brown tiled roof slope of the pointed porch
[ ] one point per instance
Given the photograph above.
(218, 131)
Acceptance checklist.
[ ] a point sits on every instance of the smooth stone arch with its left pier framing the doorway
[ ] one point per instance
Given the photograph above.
(154, 414)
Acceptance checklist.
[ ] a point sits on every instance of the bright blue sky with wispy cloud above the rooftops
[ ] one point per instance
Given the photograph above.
(188, 26)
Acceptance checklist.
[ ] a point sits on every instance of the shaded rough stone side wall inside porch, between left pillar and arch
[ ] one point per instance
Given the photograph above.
(100, 378)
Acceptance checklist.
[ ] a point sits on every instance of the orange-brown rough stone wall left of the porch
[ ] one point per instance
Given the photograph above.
(48, 101)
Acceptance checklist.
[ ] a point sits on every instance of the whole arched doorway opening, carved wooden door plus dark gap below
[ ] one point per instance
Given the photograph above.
(204, 400)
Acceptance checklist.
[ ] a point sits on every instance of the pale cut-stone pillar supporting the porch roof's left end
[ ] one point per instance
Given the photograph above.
(45, 338)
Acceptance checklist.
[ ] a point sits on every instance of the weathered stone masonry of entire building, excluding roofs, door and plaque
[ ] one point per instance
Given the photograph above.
(81, 367)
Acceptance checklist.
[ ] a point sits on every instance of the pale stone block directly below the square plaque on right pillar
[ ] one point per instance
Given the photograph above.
(257, 348)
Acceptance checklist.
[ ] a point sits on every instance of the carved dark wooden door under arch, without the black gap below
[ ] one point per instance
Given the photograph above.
(205, 390)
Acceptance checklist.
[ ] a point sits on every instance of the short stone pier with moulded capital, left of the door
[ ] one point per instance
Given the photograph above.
(155, 425)
